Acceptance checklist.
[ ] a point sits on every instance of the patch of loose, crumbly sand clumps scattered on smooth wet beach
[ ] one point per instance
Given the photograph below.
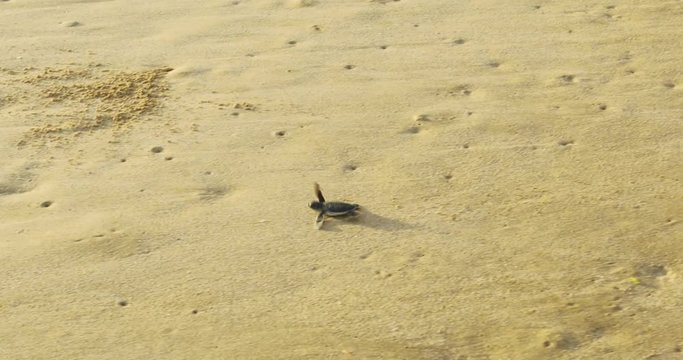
(68, 101)
